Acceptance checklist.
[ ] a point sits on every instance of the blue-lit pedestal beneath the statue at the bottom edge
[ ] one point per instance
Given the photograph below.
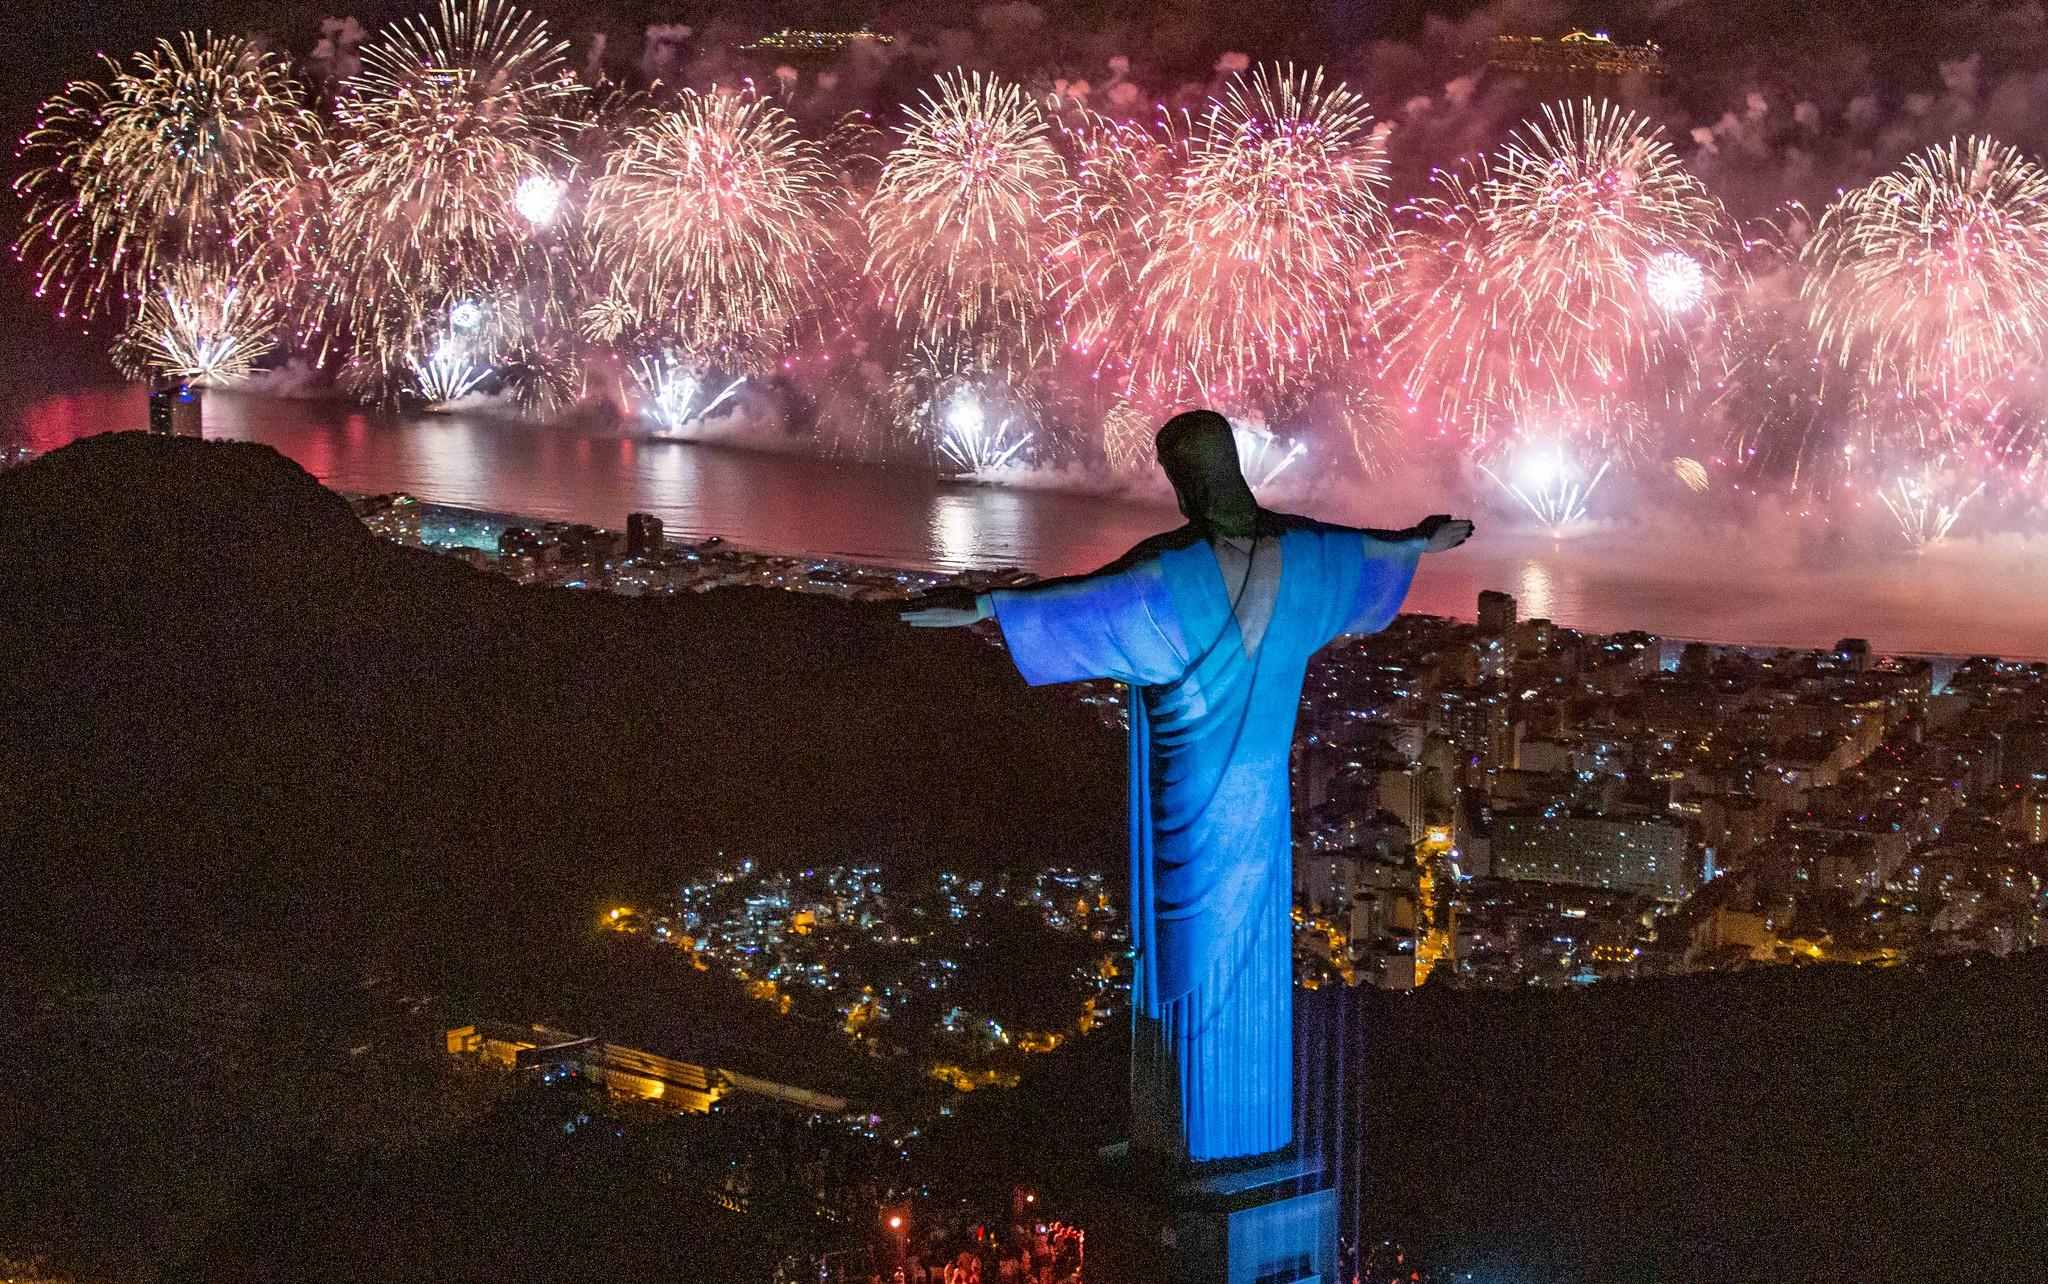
(1267, 1224)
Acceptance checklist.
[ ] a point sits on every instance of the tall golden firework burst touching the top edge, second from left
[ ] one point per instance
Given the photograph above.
(437, 136)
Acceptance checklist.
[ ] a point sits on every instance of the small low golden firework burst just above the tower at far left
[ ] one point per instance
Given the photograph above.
(200, 325)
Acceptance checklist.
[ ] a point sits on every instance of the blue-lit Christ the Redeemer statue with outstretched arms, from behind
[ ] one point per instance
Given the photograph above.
(1211, 626)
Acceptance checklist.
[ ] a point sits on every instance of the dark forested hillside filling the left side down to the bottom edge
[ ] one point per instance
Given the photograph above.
(267, 779)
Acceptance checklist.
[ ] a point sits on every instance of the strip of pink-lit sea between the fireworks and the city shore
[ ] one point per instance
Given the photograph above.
(1744, 589)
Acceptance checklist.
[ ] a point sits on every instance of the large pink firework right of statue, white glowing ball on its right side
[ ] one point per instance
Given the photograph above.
(1558, 271)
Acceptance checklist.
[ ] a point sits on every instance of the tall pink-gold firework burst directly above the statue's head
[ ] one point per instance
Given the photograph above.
(1267, 247)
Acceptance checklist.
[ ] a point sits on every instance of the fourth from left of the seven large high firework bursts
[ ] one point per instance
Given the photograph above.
(962, 218)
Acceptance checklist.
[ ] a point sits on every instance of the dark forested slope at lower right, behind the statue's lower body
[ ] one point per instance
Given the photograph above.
(1818, 1125)
